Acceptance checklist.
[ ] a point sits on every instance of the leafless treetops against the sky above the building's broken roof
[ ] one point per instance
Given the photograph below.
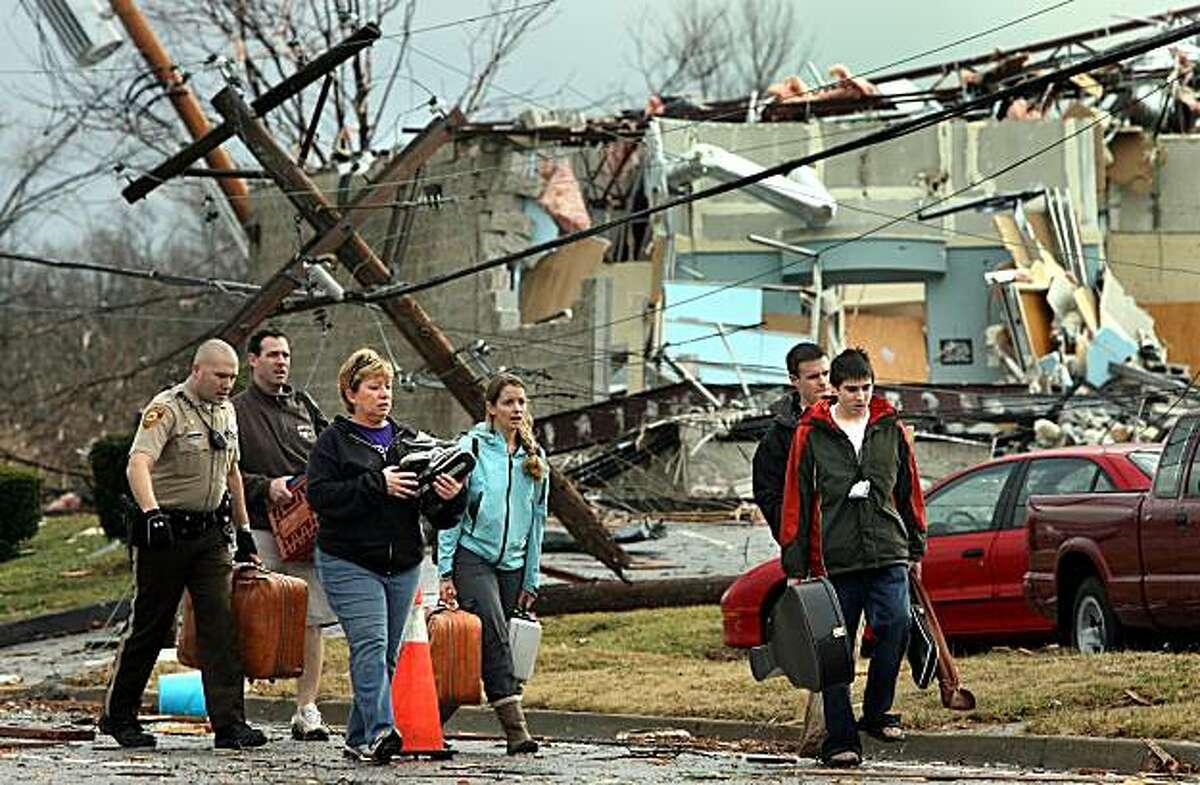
(717, 49)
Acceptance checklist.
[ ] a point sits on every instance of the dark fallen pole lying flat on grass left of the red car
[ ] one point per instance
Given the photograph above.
(620, 596)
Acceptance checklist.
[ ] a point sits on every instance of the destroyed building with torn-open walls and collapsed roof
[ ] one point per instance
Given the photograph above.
(995, 266)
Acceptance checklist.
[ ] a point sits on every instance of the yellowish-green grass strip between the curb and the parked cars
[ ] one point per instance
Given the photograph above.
(671, 662)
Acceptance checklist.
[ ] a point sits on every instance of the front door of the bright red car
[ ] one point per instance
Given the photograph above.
(962, 518)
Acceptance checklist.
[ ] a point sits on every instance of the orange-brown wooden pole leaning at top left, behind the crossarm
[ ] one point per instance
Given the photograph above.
(184, 100)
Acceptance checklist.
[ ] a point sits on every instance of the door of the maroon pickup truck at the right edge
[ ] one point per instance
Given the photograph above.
(1171, 534)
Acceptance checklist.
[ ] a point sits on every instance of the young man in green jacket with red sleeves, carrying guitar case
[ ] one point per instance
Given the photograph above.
(854, 511)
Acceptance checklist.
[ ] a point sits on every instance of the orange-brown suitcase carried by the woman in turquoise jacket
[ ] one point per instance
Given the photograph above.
(458, 650)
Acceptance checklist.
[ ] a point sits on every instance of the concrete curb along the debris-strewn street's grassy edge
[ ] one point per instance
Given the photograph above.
(1057, 753)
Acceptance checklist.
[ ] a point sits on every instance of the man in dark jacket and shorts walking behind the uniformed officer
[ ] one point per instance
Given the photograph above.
(278, 427)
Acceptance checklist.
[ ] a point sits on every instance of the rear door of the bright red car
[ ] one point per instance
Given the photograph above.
(1011, 553)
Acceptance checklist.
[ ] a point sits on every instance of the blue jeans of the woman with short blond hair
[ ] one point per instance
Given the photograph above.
(373, 610)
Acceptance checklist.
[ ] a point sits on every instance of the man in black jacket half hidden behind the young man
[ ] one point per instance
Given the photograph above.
(808, 369)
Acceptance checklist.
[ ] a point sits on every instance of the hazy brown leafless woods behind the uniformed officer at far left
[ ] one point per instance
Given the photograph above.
(62, 329)
